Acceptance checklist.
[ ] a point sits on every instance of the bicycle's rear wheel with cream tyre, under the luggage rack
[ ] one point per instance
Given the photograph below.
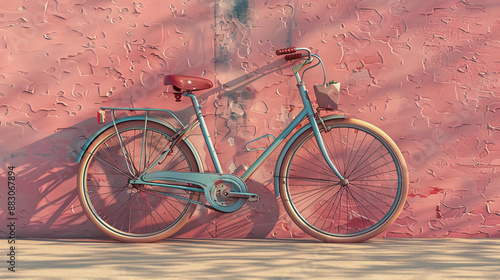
(128, 212)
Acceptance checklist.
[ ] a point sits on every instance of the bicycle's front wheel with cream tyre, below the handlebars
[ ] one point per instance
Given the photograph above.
(350, 211)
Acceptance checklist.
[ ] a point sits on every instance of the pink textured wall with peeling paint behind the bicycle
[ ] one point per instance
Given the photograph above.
(426, 72)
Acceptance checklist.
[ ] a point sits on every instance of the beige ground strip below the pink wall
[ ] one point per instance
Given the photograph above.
(255, 259)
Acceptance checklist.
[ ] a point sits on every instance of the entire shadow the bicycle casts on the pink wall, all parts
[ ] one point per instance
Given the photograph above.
(48, 202)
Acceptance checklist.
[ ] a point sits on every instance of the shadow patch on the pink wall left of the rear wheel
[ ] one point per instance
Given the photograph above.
(46, 197)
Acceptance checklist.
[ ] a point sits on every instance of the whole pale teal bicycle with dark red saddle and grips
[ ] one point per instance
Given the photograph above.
(340, 179)
